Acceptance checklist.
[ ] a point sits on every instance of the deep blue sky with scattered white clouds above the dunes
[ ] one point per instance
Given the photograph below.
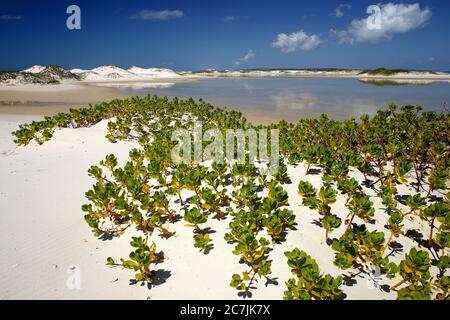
(229, 34)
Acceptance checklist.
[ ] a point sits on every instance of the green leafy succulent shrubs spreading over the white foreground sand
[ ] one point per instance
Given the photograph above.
(396, 149)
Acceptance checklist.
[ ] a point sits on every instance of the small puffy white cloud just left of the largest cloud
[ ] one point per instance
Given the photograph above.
(295, 41)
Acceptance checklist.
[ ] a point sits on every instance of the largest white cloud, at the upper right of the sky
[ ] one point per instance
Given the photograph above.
(393, 19)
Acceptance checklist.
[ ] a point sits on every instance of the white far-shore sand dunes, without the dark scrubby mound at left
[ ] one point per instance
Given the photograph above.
(114, 74)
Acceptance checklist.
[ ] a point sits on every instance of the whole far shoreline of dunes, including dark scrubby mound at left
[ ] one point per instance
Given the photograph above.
(52, 74)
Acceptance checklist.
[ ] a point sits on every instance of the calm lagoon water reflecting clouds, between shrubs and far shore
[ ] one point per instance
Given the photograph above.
(270, 99)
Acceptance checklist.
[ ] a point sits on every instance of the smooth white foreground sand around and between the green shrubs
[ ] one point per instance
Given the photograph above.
(42, 231)
